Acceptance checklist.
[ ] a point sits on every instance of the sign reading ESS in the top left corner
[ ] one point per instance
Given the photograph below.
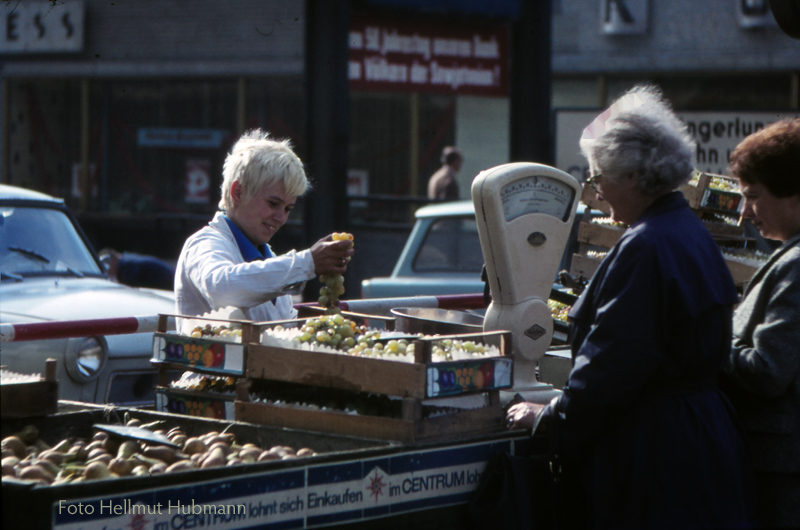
(41, 26)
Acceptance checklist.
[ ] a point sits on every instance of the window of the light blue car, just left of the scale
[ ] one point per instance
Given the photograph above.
(451, 245)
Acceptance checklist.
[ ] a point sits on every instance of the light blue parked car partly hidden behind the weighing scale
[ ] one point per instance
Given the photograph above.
(442, 255)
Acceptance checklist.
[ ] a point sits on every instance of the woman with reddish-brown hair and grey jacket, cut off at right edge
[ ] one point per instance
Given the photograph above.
(763, 376)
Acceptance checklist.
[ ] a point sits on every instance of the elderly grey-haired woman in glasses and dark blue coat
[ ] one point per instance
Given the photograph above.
(641, 425)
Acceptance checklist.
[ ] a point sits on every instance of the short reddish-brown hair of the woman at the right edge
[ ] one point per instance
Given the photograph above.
(771, 157)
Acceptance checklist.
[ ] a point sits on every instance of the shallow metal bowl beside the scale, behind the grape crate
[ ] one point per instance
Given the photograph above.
(434, 321)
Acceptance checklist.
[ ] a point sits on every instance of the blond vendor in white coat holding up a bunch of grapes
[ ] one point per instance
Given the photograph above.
(229, 263)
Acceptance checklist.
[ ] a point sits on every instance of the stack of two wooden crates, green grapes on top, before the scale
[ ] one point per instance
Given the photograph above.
(380, 385)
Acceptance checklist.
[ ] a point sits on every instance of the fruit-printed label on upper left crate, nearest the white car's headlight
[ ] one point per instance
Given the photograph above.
(207, 355)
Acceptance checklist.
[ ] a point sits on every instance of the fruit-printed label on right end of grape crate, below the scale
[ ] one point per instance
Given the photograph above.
(465, 377)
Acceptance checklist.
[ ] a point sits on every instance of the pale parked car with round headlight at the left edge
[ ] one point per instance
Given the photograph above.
(50, 272)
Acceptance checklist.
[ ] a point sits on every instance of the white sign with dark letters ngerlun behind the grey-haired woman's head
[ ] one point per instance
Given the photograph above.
(716, 135)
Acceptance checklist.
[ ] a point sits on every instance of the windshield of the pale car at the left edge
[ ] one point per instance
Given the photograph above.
(41, 241)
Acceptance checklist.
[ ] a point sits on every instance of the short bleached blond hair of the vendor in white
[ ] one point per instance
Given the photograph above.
(258, 161)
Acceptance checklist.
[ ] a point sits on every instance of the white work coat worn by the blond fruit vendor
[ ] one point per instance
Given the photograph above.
(211, 274)
